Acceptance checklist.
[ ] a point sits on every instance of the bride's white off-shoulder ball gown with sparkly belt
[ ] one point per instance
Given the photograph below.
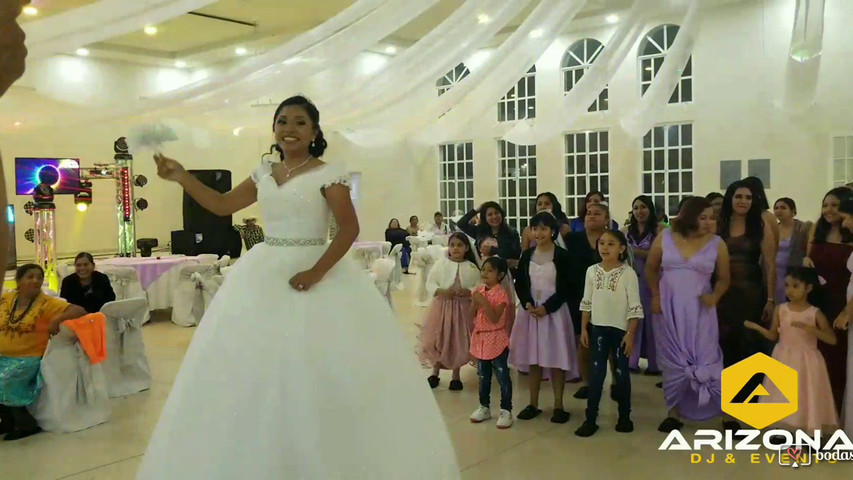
(316, 385)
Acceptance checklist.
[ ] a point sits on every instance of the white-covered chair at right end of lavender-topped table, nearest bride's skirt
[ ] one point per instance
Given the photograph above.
(197, 285)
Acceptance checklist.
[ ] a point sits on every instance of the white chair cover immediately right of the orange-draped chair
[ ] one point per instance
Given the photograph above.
(126, 367)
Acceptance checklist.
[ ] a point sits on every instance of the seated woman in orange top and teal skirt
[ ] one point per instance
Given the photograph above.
(27, 319)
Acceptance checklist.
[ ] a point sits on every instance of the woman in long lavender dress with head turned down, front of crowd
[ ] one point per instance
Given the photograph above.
(686, 330)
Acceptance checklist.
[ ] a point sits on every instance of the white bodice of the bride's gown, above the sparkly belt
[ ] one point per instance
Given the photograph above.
(297, 209)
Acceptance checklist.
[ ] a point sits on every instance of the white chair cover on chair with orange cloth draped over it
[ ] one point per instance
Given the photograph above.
(74, 396)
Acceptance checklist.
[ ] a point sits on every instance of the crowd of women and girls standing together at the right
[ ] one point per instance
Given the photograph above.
(725, 279)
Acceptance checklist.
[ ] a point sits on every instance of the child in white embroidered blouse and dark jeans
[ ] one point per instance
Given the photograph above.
(611, 311)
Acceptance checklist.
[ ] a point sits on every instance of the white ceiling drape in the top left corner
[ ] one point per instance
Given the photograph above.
(100, 21)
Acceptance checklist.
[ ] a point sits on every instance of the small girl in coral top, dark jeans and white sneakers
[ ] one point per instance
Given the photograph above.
(490, 341)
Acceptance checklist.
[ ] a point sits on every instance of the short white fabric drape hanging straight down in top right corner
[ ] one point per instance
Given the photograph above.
(803, 64)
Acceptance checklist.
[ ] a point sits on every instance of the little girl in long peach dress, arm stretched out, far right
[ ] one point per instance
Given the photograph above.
(797, 326)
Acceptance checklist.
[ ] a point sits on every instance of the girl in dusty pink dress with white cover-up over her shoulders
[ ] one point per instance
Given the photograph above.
(446, 335)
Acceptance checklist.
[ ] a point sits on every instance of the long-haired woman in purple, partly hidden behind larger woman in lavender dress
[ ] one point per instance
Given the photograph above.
(642, 230)
